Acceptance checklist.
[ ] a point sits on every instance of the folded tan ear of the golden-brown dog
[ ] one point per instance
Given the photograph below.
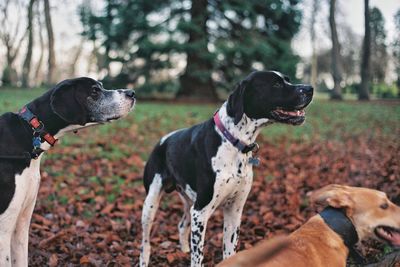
(336, 196)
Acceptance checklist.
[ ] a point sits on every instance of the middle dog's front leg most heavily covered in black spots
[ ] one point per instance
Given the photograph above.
(199, 219)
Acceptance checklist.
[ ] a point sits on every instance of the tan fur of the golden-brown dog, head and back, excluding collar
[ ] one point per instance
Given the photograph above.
(314, 243)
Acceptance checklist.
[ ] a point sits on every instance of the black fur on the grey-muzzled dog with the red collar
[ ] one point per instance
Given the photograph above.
(59, 107)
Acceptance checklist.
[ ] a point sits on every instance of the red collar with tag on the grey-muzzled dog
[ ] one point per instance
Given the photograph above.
(38, 128)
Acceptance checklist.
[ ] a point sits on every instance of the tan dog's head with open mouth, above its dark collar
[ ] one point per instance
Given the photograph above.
(371, 212)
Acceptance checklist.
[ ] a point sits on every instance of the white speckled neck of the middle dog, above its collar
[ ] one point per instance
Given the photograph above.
(246, 130)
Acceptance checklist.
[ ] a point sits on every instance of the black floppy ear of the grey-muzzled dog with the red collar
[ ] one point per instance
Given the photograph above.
(67, 103)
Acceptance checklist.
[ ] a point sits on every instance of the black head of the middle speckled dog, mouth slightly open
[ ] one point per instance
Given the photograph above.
(269, 95)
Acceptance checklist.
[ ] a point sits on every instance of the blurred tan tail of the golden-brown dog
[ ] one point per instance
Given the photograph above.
(259, 254)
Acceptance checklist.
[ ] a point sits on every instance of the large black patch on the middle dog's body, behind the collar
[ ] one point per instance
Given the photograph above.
(190, 164)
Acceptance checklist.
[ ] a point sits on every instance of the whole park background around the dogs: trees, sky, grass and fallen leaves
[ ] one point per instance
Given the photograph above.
(182, 56)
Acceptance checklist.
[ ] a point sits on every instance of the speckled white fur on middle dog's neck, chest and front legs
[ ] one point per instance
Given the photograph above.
(231, 186)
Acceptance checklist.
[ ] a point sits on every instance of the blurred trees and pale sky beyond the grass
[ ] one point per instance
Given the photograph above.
(200, 49)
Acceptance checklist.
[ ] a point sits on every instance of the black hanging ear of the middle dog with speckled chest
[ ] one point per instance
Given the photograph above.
(235, 107)
